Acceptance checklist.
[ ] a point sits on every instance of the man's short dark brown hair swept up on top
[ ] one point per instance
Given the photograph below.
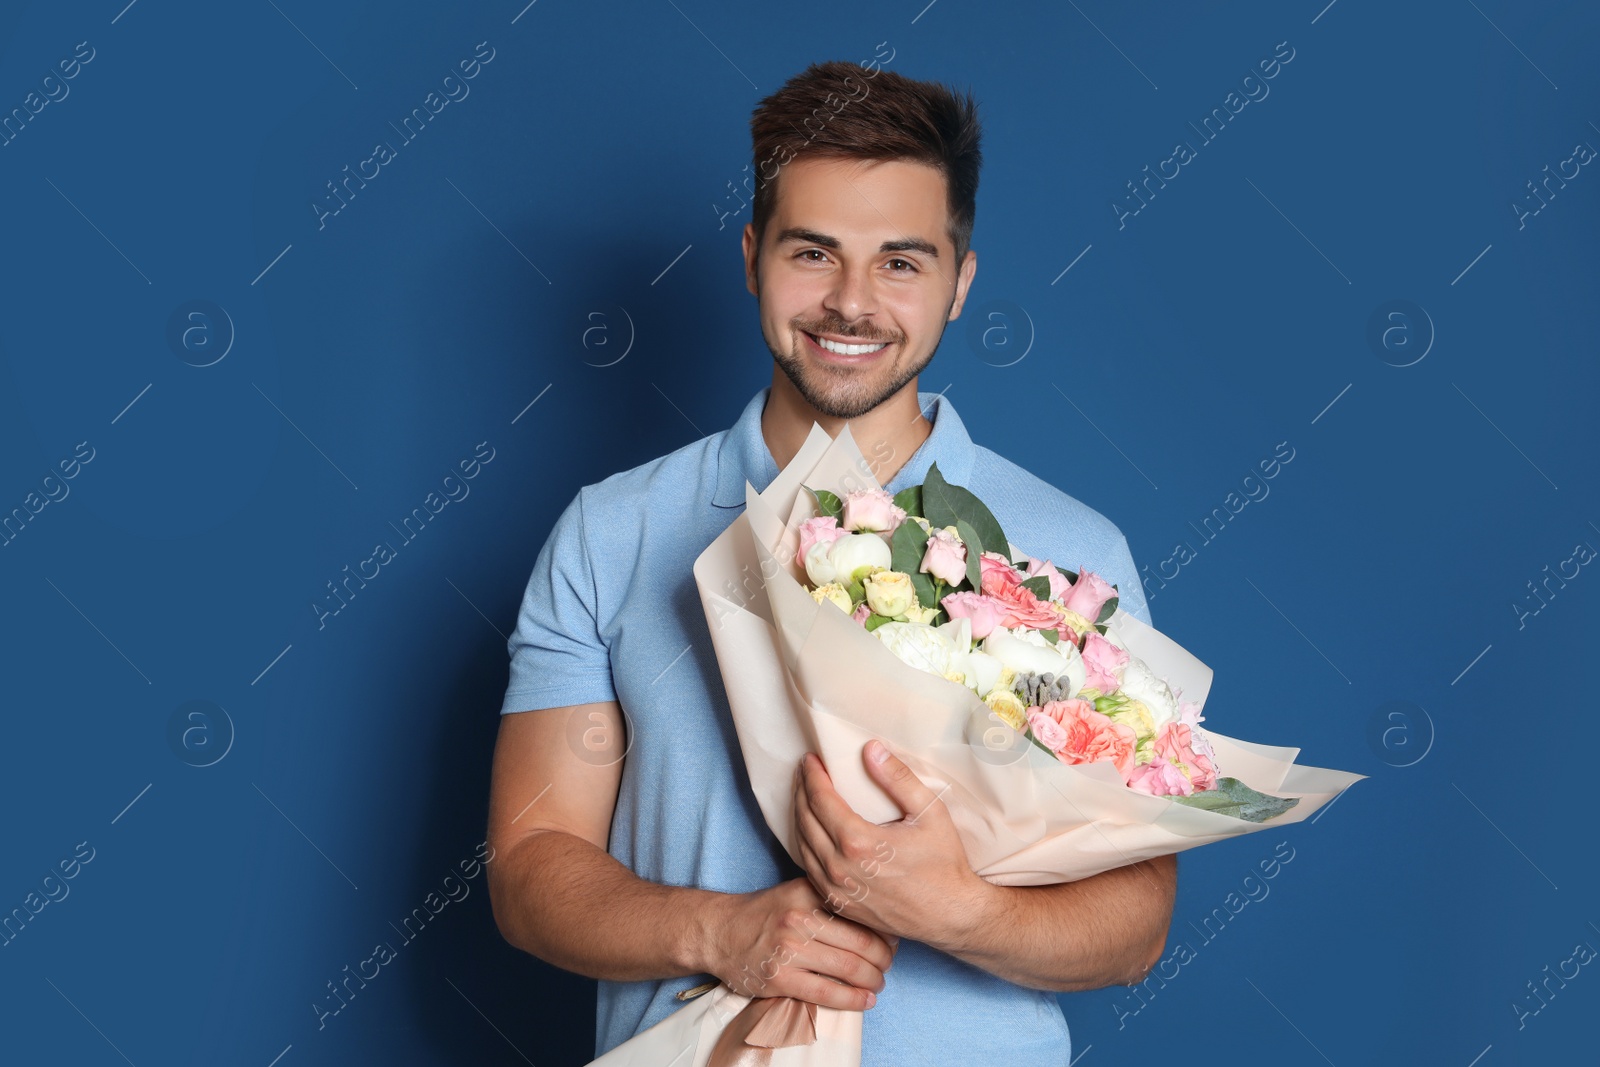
(839, 111)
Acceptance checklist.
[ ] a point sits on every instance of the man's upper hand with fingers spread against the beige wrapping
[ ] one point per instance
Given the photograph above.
(905, 879)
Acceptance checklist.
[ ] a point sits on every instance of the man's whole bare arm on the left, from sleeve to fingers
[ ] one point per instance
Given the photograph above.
(551, 812)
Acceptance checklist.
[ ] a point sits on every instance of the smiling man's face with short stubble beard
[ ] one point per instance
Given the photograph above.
(857, 254)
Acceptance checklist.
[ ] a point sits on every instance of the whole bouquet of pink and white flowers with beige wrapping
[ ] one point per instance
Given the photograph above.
(1062, 733)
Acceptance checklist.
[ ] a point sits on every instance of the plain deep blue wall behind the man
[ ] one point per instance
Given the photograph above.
(580, 206)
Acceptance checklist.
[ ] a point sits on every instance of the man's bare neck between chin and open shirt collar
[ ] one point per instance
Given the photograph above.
(887, 436)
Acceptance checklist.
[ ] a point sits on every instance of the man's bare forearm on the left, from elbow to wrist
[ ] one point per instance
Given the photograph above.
(574, 905)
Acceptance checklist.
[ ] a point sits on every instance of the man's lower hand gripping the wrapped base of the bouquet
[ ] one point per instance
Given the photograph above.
(786, 943)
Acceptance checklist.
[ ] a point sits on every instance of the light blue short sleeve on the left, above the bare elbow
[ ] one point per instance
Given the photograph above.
(558, 653)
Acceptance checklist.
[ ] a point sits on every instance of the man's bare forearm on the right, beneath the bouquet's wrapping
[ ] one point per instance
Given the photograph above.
(1074, 937)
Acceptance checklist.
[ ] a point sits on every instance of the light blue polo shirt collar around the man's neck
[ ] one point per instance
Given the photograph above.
(743, 455)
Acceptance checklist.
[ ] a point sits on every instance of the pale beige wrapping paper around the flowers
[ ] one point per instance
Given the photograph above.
(806, 677)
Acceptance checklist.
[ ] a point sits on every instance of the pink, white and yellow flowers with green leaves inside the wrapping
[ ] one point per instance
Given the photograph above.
(1030, 639)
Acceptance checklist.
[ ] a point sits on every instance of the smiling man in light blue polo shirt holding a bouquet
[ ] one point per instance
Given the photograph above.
(628, 842)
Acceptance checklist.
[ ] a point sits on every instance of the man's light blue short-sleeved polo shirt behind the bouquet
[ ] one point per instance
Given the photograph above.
(612, 613)
